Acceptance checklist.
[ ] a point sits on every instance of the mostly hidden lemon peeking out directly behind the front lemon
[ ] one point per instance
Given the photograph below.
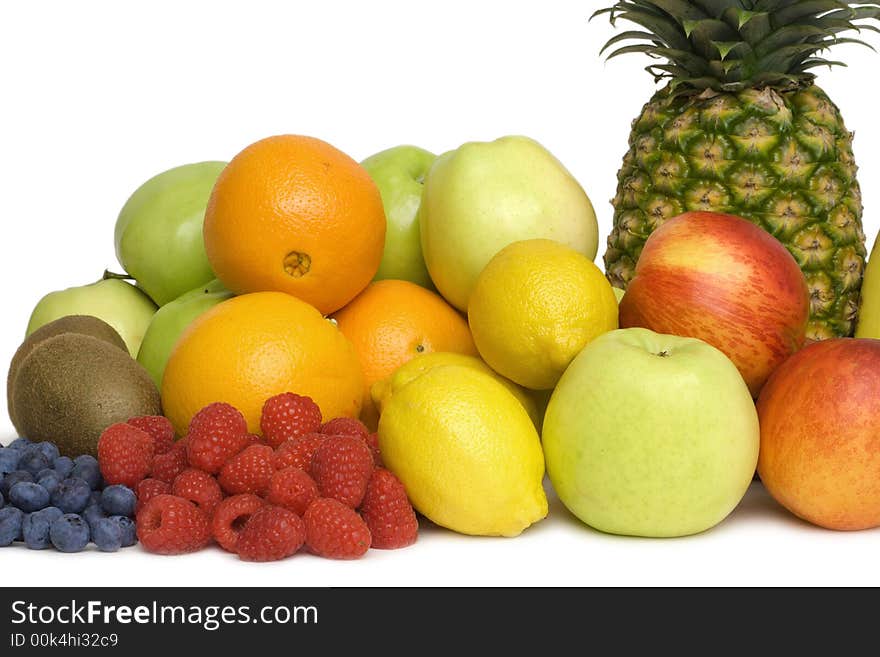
(383, 390)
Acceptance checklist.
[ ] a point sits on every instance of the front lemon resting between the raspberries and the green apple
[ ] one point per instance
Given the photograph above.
(466, 451)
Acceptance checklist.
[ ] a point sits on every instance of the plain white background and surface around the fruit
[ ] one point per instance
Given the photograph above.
(96, 97)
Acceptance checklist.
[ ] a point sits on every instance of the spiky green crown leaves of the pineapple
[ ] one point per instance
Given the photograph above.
(731, 45)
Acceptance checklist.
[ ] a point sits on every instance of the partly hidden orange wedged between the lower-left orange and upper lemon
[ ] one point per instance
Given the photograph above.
(393, 321)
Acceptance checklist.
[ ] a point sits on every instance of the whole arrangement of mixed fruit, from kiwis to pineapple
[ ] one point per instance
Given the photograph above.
(447, 313)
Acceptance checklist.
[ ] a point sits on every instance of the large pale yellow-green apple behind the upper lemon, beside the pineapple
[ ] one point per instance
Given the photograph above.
(485, 195)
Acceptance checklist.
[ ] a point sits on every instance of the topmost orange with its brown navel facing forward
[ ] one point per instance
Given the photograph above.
(294, 214)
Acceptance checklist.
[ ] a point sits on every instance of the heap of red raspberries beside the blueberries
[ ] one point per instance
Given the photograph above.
(303, 483)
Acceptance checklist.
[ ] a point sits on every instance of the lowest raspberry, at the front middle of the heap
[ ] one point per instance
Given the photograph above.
(272, 533)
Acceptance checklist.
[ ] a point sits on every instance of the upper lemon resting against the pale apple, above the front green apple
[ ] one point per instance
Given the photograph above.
(535, 306)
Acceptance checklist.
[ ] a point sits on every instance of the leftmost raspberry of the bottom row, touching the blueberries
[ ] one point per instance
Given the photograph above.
(172, 525)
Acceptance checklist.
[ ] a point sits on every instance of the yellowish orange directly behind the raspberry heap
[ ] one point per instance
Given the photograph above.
(253, 347)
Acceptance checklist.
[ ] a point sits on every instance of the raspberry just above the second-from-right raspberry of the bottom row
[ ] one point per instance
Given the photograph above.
(341, 466)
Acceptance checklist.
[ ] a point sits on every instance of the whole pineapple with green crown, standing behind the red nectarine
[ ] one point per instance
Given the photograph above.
(741, 128)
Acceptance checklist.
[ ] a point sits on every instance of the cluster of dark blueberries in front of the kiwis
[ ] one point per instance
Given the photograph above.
(48, 499)
